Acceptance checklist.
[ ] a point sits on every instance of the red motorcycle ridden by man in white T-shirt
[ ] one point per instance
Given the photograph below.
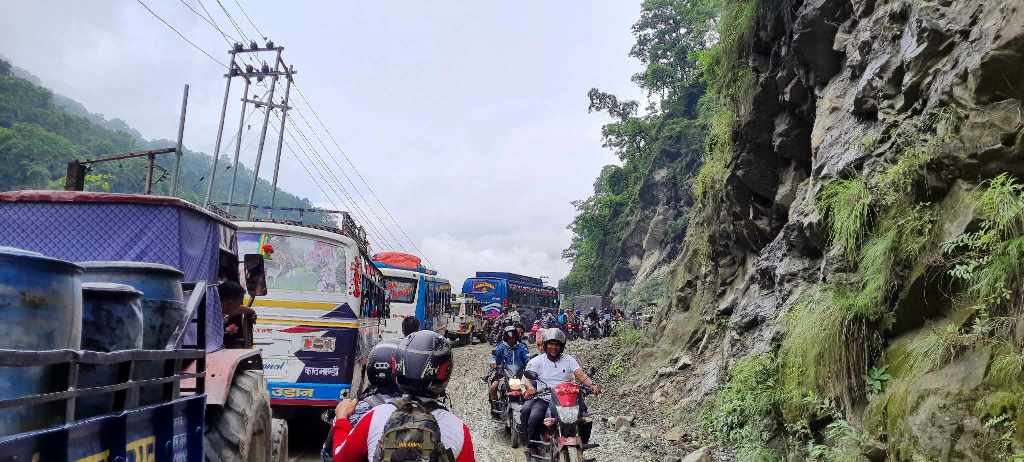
(561, 438)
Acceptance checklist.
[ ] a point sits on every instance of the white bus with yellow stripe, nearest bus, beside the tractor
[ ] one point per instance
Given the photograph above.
(322, 313)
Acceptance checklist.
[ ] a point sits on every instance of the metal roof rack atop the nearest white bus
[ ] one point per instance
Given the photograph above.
(344, 223)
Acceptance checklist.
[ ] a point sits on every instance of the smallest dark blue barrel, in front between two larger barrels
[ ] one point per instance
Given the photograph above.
(112, 321)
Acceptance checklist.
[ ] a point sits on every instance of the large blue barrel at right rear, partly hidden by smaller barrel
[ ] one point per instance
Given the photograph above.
(163, 308)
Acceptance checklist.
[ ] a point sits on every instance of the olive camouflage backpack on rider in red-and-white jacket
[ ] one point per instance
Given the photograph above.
(412, 435)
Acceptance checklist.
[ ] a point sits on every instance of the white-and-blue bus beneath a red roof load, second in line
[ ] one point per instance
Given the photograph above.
(414, 293)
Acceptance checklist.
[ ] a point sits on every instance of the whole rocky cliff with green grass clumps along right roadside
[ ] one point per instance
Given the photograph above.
(837, 290)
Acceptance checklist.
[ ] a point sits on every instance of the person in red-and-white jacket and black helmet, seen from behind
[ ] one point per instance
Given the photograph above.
(423, 372)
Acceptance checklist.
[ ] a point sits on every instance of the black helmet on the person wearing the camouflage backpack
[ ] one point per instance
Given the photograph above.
(424, 364)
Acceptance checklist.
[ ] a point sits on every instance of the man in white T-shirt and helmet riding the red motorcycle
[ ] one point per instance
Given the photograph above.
(553, 367)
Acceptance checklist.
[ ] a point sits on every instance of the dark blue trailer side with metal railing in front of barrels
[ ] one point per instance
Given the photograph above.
(168, 426)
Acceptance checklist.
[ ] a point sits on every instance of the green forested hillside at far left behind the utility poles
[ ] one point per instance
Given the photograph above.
(40, 133)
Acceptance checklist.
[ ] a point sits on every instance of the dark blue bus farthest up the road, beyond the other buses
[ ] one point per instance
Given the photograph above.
(497, 291)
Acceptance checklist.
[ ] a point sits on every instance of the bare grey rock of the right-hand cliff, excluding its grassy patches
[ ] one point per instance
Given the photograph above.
(835, 82)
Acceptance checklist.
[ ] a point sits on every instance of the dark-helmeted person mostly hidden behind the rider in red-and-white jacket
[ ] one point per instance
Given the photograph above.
(380, 371)
